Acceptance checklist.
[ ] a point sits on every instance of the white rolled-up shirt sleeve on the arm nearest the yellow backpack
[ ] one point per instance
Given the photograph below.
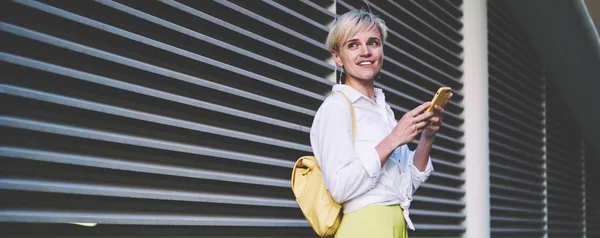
(347, 173)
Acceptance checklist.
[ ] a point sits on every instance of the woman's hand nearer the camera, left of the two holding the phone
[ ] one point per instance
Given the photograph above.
(411, 124)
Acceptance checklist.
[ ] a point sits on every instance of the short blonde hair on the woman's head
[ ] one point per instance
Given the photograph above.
(352, 22)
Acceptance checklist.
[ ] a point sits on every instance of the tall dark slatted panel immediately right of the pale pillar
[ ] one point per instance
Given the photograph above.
(516, 102)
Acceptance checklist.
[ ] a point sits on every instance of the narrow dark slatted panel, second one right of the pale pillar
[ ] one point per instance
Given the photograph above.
(565, 176)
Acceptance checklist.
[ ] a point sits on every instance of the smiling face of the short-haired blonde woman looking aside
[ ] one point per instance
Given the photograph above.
(361, 55)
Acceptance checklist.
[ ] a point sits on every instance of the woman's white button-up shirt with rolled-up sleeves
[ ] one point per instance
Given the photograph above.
(351, 168)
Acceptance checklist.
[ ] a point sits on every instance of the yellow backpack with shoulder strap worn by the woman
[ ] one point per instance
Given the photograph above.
(322, 212)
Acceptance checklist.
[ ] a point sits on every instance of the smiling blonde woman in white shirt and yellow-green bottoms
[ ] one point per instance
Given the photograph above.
(375, 174)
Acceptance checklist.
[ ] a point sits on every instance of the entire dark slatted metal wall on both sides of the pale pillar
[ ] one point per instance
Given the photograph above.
(184, 118)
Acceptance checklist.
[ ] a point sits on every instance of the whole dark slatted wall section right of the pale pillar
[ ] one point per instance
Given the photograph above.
(538, 161)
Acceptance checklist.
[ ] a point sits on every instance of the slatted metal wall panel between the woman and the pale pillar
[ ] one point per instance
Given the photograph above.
(422, 53)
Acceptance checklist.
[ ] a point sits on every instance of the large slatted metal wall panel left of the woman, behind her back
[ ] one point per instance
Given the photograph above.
(157, 118)
